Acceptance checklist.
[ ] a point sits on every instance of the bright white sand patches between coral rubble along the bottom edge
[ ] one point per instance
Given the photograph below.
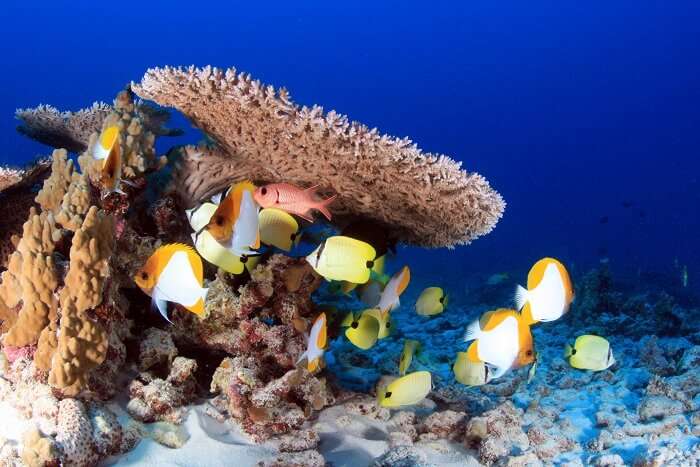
(346, 441)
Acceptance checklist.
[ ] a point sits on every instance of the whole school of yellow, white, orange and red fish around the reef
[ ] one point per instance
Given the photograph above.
(235, 227)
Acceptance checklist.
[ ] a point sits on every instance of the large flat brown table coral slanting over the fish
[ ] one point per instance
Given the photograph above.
(424, 198)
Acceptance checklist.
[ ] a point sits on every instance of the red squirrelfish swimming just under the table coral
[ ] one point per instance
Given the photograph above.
(293, 199)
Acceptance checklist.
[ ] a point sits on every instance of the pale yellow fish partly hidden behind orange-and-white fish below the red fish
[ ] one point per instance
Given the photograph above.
(210, 249)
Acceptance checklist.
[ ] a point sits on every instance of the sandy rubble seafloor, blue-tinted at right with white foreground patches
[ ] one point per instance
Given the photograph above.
(621, 416)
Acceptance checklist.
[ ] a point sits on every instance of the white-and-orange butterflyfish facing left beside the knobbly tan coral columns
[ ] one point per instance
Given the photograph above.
(173, 273)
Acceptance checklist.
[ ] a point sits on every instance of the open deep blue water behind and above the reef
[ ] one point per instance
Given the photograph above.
(567, 109)
